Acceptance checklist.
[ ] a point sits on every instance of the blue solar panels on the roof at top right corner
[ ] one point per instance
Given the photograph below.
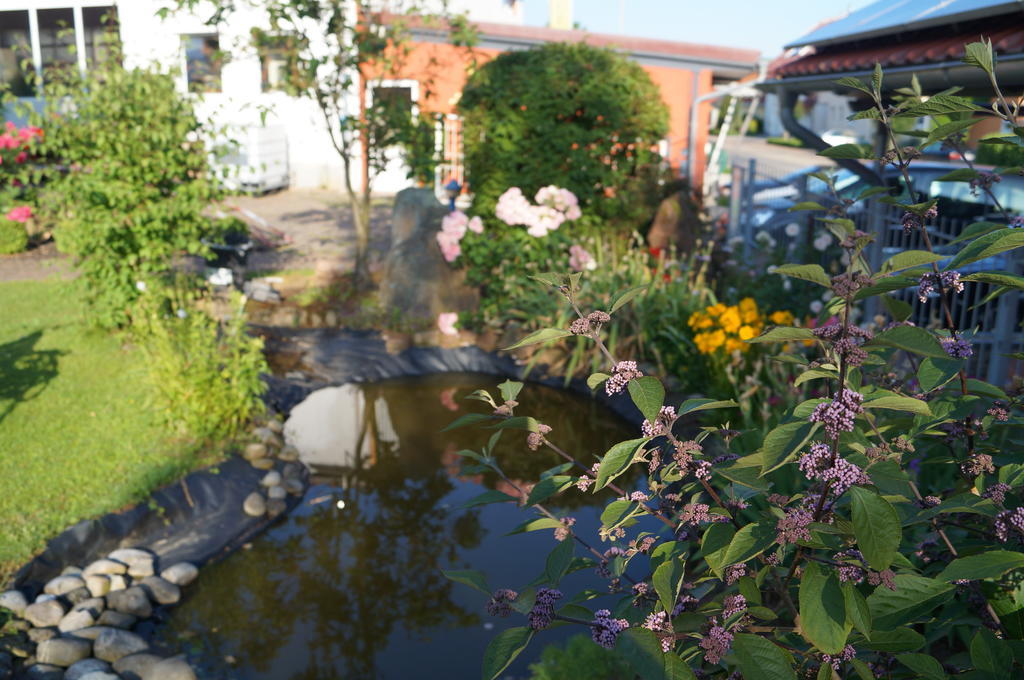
(886, 17)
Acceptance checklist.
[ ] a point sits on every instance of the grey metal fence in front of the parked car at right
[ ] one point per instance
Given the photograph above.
(997, 324)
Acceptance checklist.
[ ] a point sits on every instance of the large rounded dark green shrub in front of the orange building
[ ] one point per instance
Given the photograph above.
(585, 116)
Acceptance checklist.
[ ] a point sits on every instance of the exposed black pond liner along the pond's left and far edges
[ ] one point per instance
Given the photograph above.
(214, 525)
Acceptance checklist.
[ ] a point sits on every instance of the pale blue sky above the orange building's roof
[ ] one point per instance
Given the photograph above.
(761, 25)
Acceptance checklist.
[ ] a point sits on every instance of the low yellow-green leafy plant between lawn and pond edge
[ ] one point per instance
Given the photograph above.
(206, 372)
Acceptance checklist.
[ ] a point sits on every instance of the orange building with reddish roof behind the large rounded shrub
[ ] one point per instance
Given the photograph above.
(684, 72)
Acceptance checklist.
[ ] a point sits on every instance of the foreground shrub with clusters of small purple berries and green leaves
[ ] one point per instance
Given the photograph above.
(877, 532)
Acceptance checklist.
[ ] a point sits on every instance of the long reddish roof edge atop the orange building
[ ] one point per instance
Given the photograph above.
(630, 45)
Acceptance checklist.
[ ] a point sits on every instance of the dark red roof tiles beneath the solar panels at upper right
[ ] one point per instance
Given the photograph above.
(922, 52)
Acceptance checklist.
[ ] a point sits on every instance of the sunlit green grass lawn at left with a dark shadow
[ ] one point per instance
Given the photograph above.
(78, 436)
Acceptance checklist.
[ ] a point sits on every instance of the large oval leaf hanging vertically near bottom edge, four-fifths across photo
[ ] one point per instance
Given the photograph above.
(823, 611)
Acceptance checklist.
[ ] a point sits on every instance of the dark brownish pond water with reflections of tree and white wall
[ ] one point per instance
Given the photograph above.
(350, 584)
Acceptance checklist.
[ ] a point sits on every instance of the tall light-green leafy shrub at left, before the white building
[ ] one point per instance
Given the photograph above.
(138, 181)
